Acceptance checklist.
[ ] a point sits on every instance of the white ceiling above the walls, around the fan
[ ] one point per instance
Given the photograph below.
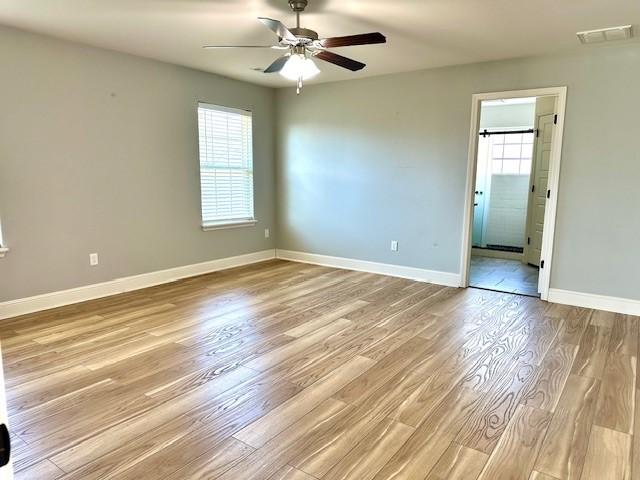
(420, 33)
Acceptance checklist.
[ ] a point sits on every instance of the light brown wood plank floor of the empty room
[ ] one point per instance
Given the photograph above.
(289, 371)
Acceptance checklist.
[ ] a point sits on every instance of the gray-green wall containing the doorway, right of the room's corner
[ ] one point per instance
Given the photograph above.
(365, 162)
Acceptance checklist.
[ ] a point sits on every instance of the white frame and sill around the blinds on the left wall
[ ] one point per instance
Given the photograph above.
(226, 222)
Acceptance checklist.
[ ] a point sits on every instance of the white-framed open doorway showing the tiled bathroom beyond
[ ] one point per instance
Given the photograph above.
(513, 175)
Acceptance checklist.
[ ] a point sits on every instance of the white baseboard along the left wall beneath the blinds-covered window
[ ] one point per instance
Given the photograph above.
(23, 306)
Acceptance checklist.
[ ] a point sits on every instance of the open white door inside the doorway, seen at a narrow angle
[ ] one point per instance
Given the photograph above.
(538, 194)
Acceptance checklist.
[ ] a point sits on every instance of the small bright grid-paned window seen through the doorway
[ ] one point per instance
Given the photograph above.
(511, 154)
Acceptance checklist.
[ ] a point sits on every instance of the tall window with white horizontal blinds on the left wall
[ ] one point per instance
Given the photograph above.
(226, 166)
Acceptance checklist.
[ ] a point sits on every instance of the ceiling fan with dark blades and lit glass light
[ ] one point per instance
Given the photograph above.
(304, 44)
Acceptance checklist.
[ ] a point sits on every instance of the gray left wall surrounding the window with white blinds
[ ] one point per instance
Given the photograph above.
(98, 153)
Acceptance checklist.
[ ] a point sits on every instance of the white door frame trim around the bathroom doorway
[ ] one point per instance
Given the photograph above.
(553, 185)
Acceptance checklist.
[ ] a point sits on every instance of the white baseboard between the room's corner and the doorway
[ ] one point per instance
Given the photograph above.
(430, 276)
